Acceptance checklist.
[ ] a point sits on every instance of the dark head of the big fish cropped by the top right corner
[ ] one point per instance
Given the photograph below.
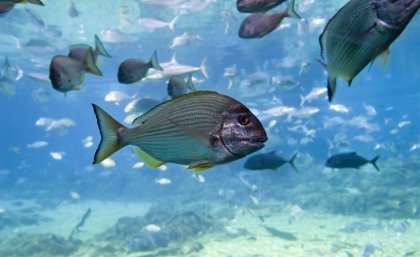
(396, 13)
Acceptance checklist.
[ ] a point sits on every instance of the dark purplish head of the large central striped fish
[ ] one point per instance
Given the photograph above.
(242, 133)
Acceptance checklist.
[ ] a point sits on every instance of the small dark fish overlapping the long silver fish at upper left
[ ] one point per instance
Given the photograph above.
(133, 70)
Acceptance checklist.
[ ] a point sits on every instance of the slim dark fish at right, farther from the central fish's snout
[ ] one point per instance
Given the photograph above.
(349, 160)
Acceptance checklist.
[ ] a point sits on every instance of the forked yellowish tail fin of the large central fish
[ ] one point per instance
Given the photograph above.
(110, 130)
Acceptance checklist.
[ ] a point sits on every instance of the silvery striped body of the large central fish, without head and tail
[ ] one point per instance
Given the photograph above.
(171, 131)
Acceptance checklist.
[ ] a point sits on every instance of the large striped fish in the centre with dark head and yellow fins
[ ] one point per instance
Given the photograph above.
(200, 129)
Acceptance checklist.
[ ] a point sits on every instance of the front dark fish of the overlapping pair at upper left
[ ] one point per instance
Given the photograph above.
(67, 74)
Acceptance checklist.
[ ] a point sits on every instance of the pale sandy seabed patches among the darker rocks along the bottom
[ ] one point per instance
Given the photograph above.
(317, 234)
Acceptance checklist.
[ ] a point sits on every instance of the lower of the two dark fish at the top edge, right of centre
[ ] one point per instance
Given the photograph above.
(258, 25)
